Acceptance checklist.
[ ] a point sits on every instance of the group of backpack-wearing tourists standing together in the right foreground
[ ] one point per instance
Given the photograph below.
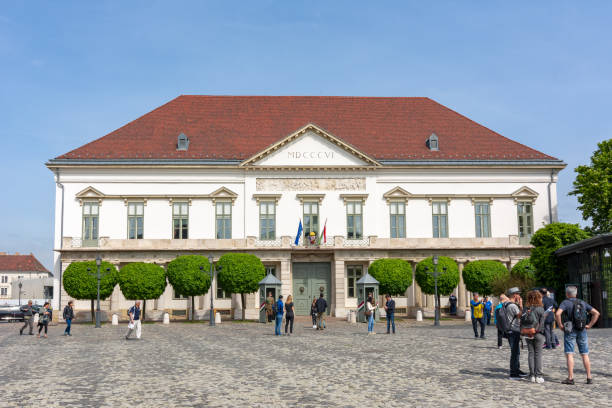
(533, 322)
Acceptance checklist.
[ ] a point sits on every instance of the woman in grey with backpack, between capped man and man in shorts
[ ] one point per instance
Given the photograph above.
(532, 328)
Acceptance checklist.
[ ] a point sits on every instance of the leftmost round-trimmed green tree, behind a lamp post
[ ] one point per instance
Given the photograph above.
(82, 284)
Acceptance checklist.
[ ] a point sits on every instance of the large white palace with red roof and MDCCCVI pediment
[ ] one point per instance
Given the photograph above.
(389, 177)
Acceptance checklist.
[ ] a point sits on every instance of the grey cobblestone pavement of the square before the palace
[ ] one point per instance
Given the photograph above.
(243, 364)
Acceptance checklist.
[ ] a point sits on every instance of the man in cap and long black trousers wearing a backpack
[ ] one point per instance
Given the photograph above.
(508, 322)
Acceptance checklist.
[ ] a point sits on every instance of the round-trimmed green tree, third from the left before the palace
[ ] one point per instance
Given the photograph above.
(186, 277)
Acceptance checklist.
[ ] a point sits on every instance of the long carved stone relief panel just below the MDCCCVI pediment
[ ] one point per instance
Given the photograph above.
(310, 184)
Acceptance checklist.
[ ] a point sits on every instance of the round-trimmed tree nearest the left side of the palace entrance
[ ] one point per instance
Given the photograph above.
(240, 273)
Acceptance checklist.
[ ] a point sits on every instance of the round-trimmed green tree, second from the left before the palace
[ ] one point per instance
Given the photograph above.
(142, 281)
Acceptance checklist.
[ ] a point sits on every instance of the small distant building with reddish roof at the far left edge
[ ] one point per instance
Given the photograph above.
(36, 281)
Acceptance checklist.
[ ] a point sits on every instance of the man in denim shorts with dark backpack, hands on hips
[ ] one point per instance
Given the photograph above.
(572, 319)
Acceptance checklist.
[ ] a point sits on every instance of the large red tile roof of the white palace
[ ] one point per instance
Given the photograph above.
(237, 127)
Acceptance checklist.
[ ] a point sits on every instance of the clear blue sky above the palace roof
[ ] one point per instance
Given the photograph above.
(537, 72)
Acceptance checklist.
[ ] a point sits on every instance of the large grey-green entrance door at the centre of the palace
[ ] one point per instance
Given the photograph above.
(310, 279)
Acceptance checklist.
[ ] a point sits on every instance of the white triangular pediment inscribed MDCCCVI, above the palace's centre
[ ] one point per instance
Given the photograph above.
(311, 146)
